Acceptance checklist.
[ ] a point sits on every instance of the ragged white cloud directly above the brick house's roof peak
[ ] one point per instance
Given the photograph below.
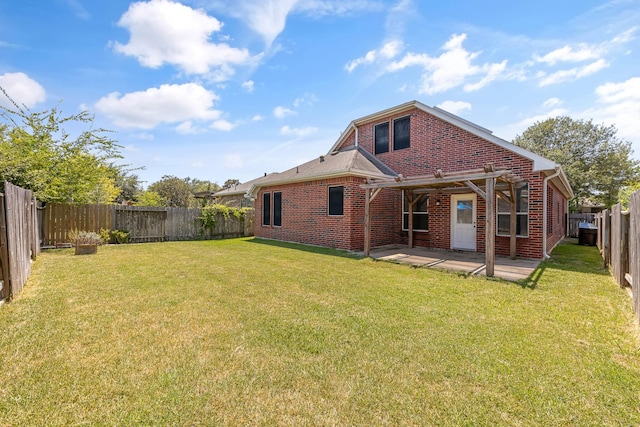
(451, 69)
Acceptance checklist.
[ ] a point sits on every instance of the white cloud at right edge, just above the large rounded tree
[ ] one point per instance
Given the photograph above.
(619, 104)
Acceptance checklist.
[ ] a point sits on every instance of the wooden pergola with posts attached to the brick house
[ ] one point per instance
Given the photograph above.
(416, 187)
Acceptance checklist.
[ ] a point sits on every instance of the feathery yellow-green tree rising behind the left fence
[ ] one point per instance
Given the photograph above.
(38, 154)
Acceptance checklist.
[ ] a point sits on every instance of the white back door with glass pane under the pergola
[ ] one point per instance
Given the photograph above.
(463, 221)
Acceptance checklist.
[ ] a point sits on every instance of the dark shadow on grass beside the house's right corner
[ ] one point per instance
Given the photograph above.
(571, 257)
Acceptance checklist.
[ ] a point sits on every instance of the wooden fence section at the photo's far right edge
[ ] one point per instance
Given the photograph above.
(619, 243)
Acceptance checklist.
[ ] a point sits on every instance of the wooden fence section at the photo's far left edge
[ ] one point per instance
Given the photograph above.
(19, 242)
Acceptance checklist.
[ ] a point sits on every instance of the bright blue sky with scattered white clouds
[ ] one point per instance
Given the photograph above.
(218, 89)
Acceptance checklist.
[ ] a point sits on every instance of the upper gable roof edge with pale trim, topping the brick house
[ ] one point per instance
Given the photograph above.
(540, 164)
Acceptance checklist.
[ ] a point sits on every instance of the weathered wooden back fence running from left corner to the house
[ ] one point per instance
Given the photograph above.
(145, 224)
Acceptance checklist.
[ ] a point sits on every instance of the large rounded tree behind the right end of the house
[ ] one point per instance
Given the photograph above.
(596, 162)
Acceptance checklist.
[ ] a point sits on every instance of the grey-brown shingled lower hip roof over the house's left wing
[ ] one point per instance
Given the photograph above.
(349, 161)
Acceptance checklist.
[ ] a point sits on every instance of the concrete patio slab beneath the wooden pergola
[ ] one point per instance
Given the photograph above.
(471, 263)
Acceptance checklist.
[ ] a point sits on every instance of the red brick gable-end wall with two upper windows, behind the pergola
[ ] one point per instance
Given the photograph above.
(436, 144)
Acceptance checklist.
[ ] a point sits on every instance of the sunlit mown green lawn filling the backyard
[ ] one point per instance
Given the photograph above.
(251, 332)
